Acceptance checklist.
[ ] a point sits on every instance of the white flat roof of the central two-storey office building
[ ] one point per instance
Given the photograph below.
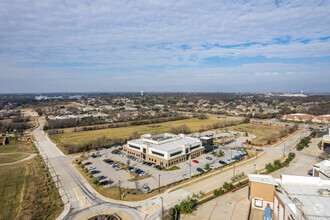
(165, 142)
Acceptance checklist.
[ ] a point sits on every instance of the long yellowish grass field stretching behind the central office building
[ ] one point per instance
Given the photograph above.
(125, 132)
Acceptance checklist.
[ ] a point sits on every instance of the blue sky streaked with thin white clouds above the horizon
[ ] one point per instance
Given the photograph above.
(164, 46)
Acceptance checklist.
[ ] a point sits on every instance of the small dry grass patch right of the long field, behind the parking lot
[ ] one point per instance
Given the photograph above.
(262, 133)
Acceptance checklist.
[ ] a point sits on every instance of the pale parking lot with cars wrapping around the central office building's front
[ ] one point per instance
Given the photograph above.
(152, 174)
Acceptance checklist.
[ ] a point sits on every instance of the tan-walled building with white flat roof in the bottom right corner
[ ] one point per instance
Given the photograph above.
(291, 197)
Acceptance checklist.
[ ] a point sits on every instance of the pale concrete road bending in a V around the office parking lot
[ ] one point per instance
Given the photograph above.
(81, 199)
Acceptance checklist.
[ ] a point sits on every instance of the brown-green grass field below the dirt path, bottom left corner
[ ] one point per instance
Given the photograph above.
(27, 192)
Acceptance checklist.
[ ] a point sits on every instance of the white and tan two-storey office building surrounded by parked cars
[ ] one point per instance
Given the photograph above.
(164, 149)
